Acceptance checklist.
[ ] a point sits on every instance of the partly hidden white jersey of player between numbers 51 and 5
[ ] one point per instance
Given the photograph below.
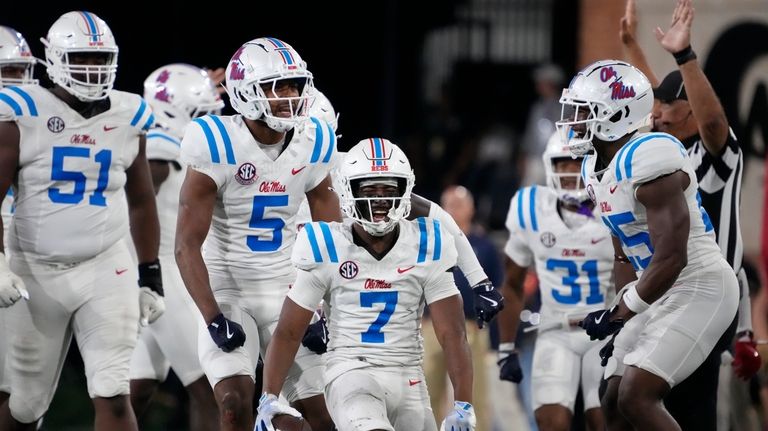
(164, 145)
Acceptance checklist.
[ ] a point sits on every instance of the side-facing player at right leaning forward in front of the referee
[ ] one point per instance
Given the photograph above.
(678, 292)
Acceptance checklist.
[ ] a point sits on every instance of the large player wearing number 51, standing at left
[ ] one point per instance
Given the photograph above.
(77, 155)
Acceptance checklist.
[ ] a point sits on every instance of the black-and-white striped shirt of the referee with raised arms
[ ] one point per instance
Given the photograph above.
(719, 179)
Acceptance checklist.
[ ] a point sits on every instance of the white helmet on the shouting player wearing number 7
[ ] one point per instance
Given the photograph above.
(379, 161)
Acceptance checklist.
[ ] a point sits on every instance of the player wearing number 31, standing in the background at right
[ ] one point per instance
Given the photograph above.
(554, 227)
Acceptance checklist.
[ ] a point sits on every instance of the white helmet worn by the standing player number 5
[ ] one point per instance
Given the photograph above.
(263, 62)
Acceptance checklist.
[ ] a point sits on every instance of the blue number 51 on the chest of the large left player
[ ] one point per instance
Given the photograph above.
(58, 174)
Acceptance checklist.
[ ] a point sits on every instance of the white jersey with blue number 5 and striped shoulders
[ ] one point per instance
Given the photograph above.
(254, 226)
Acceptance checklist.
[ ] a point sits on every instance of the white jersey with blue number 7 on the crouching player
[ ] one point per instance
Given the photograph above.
(374, 307)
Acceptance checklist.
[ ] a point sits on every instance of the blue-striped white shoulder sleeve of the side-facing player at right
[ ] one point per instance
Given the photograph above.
(649, 157)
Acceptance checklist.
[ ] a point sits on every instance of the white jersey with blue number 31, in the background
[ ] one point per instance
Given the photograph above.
(574, 266)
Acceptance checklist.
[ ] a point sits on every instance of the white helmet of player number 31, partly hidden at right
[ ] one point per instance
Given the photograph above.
(557, 150)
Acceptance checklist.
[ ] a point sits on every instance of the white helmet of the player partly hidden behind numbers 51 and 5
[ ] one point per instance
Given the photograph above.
(179, 93)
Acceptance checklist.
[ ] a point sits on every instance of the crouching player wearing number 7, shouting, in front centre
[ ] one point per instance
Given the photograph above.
(376, 272)
